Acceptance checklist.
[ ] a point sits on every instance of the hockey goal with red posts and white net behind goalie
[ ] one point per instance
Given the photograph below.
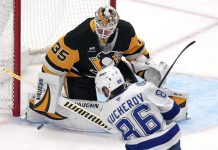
(33, 25)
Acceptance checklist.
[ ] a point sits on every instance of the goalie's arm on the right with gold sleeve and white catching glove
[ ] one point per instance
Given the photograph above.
(142, 64)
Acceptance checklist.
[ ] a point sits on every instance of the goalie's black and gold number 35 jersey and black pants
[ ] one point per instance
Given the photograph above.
(78, 56)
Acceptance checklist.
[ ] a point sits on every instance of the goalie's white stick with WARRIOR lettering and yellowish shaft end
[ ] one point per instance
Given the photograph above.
(68, 105)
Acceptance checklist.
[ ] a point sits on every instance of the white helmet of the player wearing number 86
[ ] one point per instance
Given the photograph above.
(108, 79)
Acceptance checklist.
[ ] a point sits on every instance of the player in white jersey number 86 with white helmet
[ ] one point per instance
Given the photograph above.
(142, 113)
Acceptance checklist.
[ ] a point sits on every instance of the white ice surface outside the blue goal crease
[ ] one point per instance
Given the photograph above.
(166, 26)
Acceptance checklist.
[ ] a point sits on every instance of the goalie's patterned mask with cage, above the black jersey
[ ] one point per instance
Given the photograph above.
(106, 20)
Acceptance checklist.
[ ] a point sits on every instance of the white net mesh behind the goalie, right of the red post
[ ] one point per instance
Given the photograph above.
(44, 21)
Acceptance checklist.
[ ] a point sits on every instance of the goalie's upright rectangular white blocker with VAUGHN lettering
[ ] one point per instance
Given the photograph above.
(48, 92)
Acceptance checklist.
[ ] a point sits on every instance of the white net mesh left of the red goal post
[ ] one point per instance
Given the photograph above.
(6, 55)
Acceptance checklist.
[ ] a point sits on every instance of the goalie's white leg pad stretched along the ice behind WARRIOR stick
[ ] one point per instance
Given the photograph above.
(65, 118)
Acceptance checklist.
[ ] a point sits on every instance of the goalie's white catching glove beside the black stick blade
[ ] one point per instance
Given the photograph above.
(149, 70)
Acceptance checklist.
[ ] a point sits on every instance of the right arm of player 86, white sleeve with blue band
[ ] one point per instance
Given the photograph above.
(170, 110)
